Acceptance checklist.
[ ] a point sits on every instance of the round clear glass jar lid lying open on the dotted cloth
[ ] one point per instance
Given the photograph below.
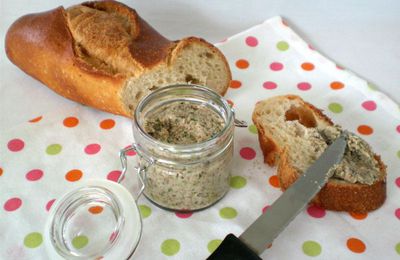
(99, 219)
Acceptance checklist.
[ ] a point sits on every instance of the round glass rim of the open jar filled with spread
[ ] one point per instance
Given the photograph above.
(182, 148)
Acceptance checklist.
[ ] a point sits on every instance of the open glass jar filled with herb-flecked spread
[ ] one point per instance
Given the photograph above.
(184, 177)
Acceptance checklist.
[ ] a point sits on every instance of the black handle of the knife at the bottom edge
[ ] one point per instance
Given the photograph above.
(232, 248)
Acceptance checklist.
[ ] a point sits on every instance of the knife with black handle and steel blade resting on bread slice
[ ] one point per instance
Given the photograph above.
(259, 235)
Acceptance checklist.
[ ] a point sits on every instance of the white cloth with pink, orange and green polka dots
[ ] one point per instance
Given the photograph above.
(43, 158)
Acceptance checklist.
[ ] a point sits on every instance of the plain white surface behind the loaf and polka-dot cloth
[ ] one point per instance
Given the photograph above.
(363, 36)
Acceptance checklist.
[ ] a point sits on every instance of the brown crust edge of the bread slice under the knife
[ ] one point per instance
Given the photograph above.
(336, 194)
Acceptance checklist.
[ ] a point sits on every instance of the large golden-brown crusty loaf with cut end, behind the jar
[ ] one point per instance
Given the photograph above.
(102, 54)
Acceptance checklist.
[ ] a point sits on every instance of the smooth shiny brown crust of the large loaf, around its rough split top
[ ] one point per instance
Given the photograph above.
(42, 45)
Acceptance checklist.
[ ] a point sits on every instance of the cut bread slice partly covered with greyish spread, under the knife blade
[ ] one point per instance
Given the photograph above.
(293, 133)
